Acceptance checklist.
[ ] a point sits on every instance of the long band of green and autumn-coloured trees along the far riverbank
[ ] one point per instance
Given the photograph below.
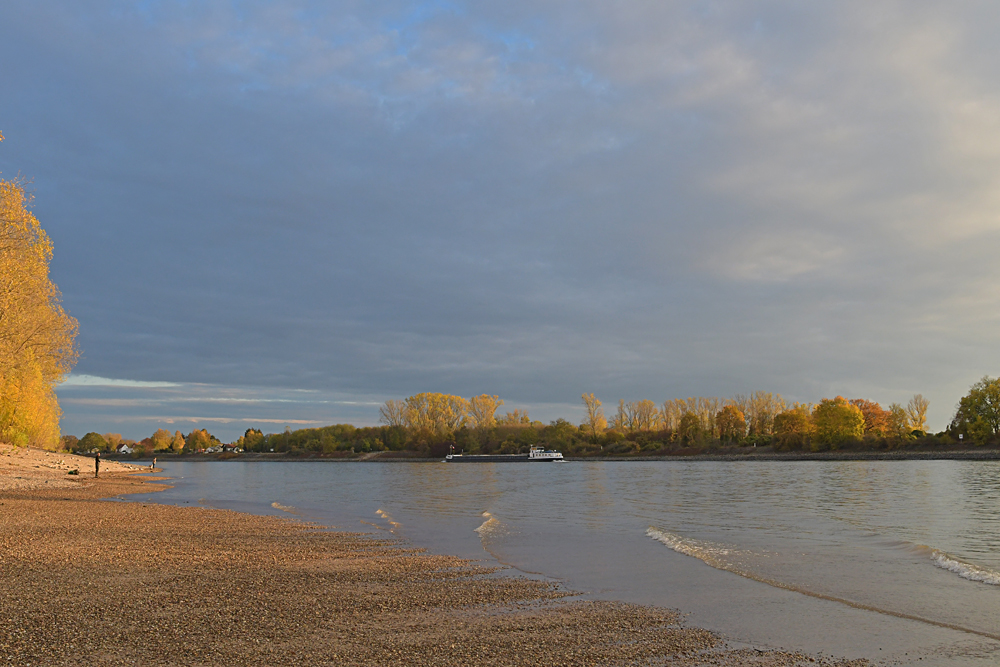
(432, 425)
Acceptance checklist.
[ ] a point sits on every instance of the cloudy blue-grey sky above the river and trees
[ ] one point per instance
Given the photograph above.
(271, 214)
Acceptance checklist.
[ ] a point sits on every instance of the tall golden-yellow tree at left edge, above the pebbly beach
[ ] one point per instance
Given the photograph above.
(37, 337)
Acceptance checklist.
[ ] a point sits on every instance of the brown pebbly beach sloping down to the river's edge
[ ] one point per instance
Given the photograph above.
(91, 582)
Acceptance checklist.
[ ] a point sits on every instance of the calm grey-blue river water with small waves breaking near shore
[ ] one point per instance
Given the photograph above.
(893, 560)
